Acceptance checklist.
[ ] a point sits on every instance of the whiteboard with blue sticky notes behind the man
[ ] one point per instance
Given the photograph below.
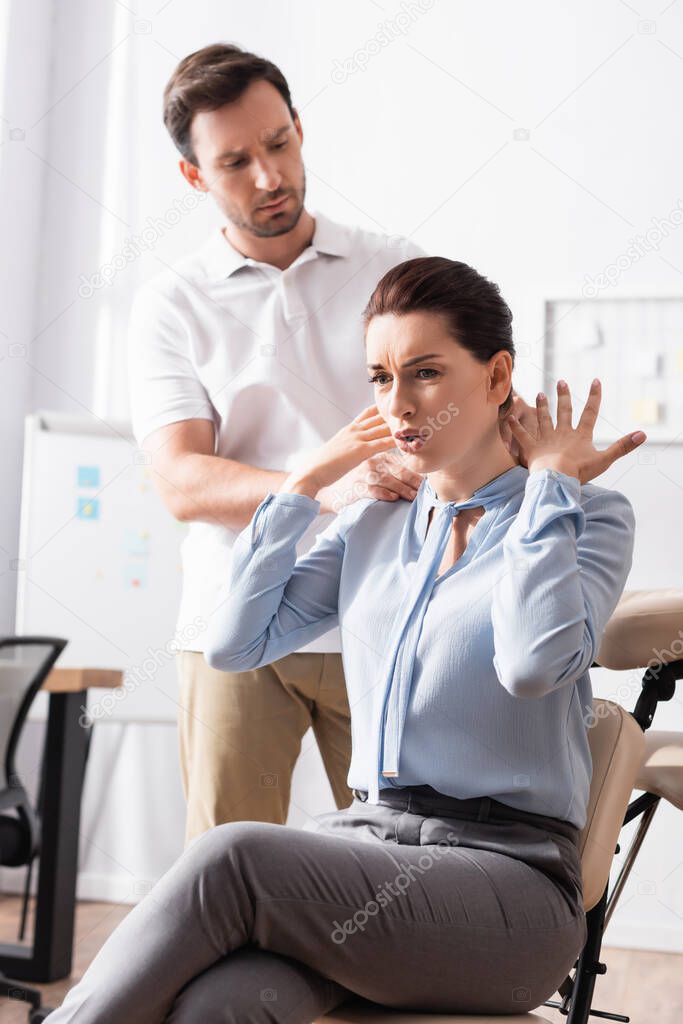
(100, 562)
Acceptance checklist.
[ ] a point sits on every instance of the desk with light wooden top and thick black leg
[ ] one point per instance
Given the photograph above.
(66, 752)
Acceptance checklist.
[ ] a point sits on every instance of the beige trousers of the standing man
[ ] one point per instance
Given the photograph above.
(241, 736)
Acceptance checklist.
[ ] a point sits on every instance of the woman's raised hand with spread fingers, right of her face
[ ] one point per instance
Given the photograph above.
(570, 450)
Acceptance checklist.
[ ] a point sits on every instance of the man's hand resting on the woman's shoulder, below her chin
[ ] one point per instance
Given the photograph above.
(382, 477)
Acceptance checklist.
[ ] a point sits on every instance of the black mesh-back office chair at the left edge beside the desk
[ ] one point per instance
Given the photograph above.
(25, 664)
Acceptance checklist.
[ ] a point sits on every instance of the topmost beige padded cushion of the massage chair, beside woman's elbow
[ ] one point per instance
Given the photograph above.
(647, 627)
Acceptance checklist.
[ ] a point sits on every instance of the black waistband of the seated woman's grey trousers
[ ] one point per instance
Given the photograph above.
(425, 800)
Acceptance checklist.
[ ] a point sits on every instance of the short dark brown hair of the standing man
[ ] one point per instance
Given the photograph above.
(208, 79)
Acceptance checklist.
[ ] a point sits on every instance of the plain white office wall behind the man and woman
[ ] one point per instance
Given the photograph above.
(533, 140)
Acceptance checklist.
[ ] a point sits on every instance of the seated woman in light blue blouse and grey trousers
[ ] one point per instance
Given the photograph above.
(469, 620)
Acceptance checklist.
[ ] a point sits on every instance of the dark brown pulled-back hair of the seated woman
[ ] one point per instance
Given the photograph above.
(475, 311)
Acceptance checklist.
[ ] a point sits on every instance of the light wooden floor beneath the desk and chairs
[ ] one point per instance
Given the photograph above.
(646, 987)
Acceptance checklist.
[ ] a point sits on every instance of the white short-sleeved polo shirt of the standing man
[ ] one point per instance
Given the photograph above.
(274, 358)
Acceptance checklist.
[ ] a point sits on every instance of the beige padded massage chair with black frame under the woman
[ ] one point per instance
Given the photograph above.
(647, 629)
